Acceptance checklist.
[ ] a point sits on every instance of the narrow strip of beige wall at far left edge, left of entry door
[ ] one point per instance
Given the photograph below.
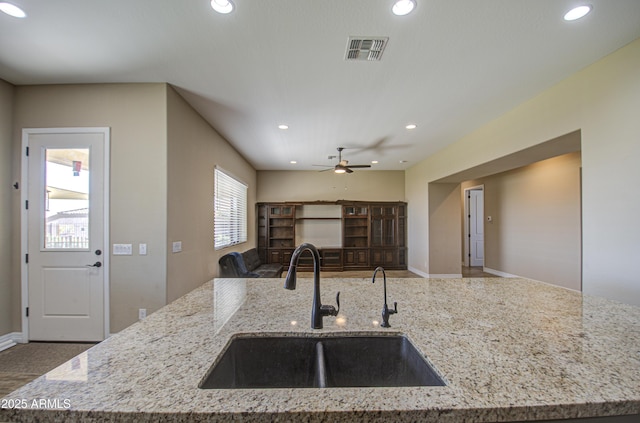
(6, 182)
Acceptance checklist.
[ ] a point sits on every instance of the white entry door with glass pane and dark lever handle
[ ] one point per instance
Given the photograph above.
(66, 235)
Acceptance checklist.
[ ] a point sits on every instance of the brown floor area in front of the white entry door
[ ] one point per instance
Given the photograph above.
(22, 363)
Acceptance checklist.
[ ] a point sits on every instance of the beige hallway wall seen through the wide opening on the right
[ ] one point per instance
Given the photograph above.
(535, 228)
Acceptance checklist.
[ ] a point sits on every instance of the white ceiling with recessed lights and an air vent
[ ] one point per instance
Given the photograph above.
(449, 67)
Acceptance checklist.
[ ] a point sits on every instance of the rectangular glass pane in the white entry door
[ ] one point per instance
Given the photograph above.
(66, 199)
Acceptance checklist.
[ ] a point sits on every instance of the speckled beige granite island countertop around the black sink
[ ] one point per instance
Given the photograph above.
(509, 350)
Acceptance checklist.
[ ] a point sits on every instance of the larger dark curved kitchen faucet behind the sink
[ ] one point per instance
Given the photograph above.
(318, 311)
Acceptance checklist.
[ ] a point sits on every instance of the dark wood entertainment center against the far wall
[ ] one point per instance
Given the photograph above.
(371, 234)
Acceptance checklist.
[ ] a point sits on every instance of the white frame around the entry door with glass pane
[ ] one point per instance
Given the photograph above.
(24, 225)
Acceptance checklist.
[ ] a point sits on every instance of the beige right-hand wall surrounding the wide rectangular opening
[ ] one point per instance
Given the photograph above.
(602, 101)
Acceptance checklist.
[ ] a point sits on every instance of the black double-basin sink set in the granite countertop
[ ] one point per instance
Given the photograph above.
(318, 362)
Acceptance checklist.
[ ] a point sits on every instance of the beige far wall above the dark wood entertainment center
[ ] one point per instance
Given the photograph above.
(363, 185)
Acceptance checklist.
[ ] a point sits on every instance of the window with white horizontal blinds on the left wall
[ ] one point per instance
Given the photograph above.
(230, 215)
